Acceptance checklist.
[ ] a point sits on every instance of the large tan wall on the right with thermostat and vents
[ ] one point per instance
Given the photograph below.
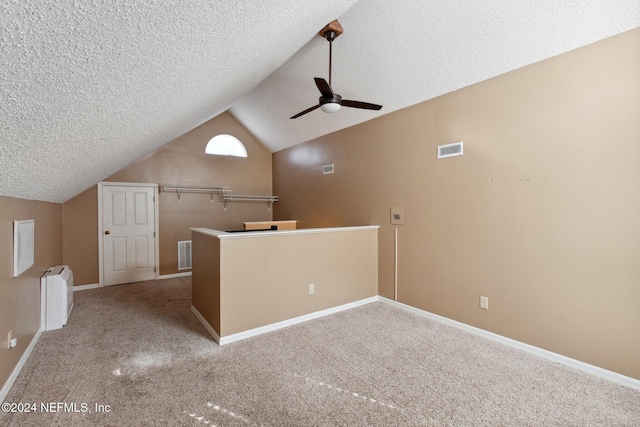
(541, 214)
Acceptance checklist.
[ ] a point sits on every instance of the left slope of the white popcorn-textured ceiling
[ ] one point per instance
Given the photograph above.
(89, 86)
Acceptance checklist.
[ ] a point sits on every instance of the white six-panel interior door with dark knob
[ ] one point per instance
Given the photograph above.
(128, 227)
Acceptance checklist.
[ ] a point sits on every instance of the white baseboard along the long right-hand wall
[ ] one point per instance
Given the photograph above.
(549, 355)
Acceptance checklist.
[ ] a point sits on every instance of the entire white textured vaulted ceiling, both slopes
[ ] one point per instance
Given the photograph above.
(89, 86)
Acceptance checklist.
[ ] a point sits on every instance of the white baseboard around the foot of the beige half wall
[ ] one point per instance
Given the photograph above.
(279, 325)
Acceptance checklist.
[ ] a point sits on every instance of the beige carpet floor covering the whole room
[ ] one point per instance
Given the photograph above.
(138, 351)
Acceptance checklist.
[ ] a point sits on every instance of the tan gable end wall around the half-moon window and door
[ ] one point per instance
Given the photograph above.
(182, 161)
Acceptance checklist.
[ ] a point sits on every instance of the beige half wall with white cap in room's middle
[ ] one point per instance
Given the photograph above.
(264, 279)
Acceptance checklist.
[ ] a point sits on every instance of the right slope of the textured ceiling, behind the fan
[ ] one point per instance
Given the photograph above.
(401, 53)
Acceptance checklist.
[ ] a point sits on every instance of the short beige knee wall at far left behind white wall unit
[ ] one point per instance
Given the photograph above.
(20, 296)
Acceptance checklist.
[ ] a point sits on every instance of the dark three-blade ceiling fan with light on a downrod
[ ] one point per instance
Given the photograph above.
(330, 102)
